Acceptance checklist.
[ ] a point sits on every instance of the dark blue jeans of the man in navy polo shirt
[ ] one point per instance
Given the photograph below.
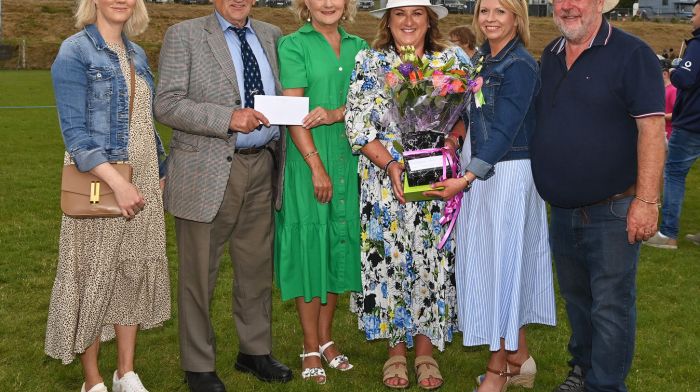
(596, 268)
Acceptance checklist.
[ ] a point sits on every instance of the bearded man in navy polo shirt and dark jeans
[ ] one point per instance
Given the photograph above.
(597, 154)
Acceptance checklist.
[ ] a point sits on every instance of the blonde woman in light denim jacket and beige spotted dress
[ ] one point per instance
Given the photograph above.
(112, 274)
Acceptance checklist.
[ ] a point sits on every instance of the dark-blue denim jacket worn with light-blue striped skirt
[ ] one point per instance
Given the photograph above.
(500, 130)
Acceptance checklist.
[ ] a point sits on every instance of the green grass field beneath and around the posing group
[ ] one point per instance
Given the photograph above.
(30, 160)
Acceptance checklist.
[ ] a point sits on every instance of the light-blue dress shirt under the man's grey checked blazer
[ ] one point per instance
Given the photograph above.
(261, 137)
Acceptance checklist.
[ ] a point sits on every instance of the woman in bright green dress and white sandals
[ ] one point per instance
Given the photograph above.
(317, 250)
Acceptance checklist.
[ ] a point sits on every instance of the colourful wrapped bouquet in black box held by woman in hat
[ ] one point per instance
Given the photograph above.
(429, 97)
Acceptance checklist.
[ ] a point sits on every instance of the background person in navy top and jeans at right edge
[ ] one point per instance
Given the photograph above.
(684, 144)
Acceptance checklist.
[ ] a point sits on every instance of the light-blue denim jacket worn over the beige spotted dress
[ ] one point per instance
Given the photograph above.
(92, 98)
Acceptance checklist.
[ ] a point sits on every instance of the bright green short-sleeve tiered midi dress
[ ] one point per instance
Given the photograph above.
(317, 248)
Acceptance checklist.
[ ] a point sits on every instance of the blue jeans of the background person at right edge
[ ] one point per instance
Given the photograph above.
(683, 150)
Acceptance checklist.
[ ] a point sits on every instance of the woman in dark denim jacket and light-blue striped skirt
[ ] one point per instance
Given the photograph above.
(504, 276)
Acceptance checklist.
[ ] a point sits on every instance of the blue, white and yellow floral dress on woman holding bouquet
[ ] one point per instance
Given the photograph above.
(408, 285)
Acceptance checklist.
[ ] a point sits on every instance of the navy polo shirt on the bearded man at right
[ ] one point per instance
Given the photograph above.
(584, 148)
